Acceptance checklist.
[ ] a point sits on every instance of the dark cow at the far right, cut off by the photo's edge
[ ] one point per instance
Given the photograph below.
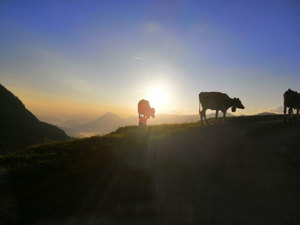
(291, 100)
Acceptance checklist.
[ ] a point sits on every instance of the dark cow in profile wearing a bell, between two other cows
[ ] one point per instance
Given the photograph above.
(217, 101)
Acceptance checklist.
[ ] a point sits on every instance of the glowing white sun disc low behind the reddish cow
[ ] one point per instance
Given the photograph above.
(158, 96)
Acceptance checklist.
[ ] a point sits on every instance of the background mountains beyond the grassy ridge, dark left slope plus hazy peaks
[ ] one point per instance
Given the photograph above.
(20, 128)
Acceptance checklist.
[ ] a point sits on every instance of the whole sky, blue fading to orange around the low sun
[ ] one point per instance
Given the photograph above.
(70, 57)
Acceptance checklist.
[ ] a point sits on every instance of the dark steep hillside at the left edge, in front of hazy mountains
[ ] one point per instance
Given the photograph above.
(20, 128)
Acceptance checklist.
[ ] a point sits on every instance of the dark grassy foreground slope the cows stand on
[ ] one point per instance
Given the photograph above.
(244, 172)
